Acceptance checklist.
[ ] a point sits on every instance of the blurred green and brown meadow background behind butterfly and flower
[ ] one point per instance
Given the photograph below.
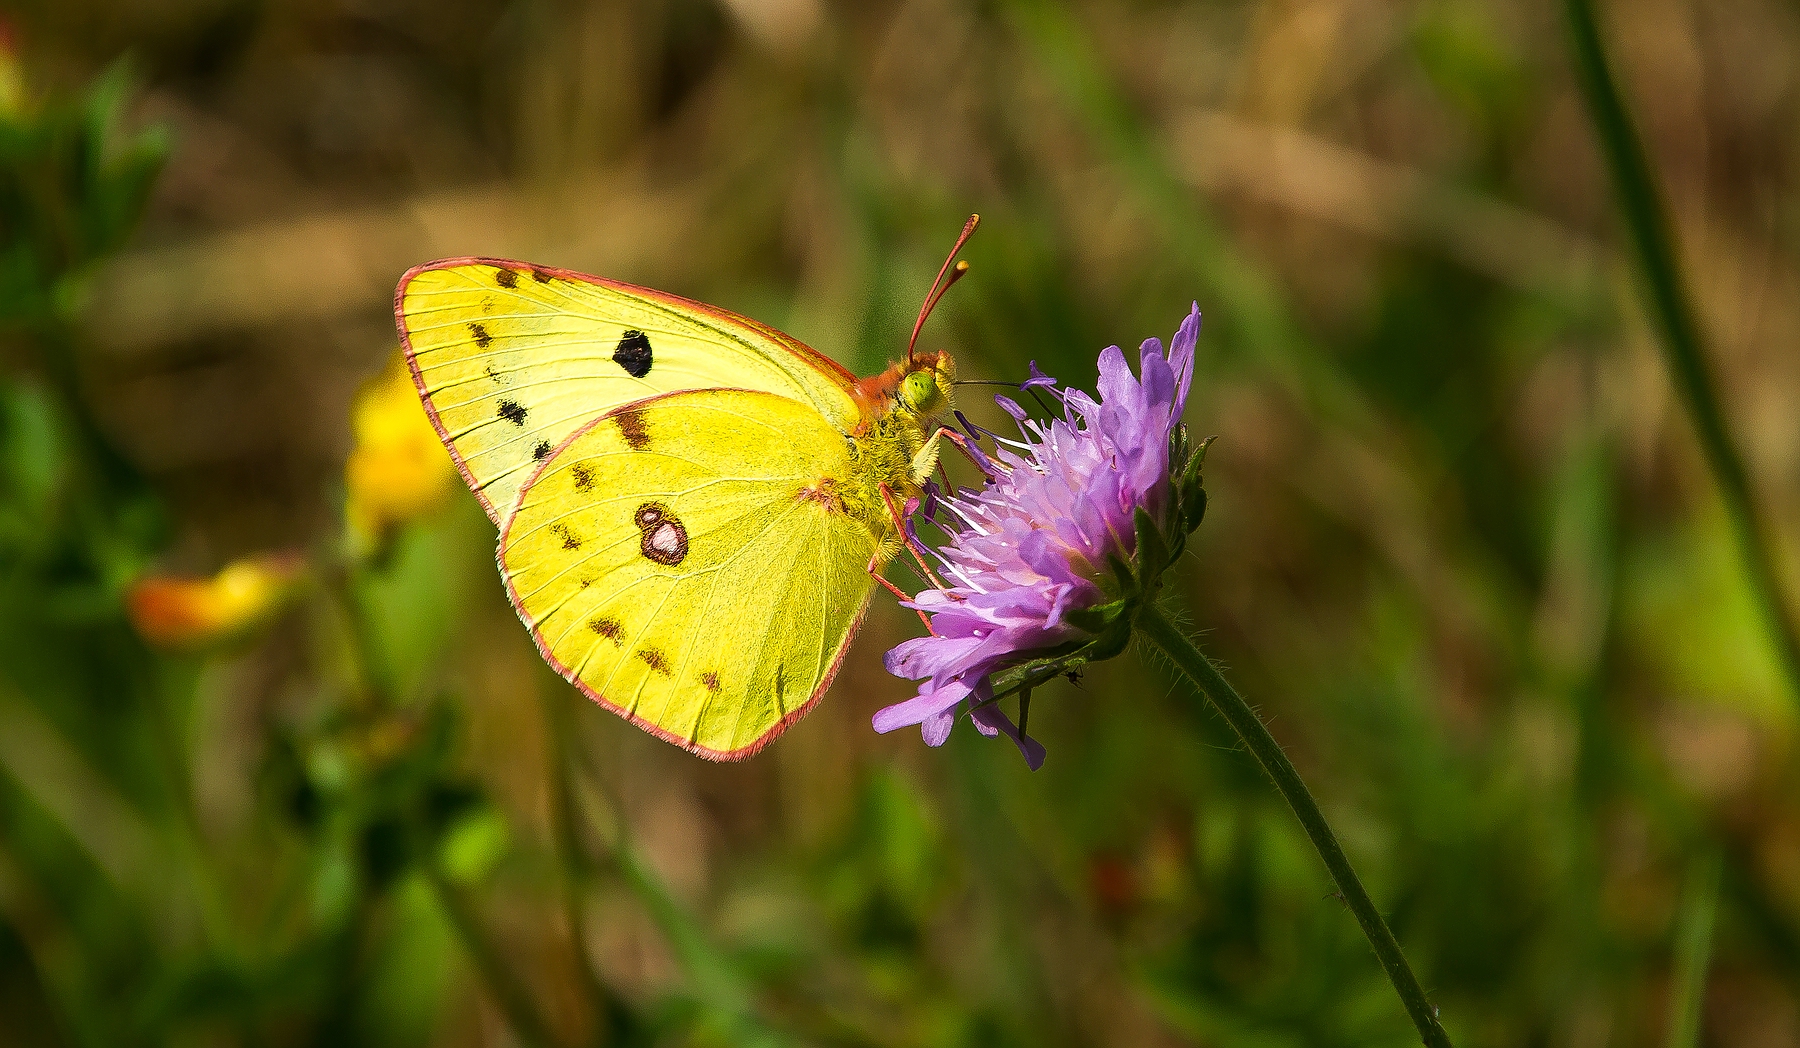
(1462, 550)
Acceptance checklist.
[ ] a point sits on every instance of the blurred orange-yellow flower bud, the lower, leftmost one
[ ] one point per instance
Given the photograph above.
(181, 613)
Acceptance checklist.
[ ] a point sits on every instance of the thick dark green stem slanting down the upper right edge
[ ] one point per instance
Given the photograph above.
(1641, 204)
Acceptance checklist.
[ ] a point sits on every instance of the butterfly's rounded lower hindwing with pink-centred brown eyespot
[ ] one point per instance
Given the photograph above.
(687, 563)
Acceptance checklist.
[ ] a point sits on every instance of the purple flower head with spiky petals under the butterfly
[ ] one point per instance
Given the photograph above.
(1038, 543)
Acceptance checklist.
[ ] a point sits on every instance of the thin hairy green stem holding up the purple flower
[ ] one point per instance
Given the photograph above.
(1245, 721)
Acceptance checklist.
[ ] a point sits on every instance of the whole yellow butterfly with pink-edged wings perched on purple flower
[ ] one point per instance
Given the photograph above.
(692, 507)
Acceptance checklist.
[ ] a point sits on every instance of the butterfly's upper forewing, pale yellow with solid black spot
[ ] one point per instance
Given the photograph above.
(512, 359)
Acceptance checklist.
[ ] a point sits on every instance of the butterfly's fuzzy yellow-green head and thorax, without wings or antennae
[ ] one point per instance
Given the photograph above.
(888, 449)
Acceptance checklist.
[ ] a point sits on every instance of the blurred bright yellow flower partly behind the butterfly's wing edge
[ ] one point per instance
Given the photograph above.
(399, 469)
